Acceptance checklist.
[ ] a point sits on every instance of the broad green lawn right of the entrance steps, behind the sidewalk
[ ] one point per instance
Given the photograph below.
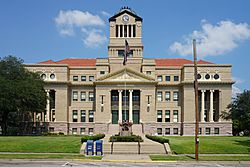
(211, 145)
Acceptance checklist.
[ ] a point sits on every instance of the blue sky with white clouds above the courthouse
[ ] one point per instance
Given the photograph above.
(37, 30)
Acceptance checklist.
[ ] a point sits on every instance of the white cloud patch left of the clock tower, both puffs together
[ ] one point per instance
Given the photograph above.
(71, 22)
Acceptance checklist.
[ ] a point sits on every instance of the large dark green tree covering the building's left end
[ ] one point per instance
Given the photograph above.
(21, 93)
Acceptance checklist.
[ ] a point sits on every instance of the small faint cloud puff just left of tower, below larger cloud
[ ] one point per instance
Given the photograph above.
(94, 38)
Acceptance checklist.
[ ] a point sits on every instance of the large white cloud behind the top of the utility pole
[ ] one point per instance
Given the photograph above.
(213, 40)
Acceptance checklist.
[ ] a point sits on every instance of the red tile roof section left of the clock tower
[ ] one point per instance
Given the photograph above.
(73, 62)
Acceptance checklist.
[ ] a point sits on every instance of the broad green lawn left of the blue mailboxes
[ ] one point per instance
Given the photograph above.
(41, 144)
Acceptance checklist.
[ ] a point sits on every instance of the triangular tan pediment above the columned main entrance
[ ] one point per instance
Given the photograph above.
(126, 75)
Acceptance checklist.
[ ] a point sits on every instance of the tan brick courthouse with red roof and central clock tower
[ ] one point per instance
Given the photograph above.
(90, 96)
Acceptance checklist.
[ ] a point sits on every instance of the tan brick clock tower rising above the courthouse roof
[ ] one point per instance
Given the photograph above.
(125, 25)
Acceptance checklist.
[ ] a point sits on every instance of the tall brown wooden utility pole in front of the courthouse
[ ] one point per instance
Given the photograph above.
(196, 103)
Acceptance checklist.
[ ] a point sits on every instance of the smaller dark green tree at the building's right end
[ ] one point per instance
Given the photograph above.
(239, 113)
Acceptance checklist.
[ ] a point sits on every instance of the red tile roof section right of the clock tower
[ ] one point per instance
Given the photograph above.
(177, 62)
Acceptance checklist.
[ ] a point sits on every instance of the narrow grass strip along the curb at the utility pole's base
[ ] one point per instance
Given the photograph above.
(201, 158)
